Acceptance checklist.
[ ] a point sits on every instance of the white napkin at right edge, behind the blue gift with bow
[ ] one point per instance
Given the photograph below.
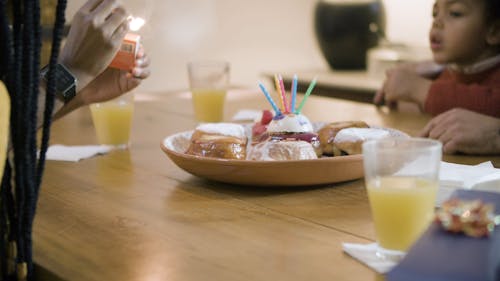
(455, 176)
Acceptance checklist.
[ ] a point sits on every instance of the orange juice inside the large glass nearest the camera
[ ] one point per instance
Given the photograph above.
(402, 208)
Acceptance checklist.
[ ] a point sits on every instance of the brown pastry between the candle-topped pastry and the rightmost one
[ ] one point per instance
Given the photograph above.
(328, 132)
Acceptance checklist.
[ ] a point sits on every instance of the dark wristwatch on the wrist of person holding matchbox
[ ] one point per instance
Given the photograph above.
(65, 82)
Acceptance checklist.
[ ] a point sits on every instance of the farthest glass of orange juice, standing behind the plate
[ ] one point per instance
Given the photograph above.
(208, 81)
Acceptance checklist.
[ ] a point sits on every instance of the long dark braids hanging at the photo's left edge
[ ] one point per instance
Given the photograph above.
(20, 44)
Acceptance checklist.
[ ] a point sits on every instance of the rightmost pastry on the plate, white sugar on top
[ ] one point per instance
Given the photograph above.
(349, 140)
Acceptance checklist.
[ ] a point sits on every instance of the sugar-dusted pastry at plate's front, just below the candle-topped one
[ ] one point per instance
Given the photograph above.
(282, 150)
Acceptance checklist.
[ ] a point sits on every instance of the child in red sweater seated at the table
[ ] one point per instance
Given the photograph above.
(465, 96)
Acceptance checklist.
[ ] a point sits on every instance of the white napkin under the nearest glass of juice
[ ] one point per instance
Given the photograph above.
(366, 253)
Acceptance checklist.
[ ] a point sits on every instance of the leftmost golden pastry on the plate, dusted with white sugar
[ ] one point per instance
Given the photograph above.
(219, 140)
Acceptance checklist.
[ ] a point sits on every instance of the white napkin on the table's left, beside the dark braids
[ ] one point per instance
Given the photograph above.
(75, 153)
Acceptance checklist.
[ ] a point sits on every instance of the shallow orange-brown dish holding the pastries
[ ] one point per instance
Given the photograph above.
(263, 173)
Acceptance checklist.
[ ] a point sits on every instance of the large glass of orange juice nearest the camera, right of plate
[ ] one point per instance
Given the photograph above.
(401, 177)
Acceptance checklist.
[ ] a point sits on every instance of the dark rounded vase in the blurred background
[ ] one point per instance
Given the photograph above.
(346, 30)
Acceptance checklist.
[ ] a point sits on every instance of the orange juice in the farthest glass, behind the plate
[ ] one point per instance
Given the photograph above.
(208, 104)
